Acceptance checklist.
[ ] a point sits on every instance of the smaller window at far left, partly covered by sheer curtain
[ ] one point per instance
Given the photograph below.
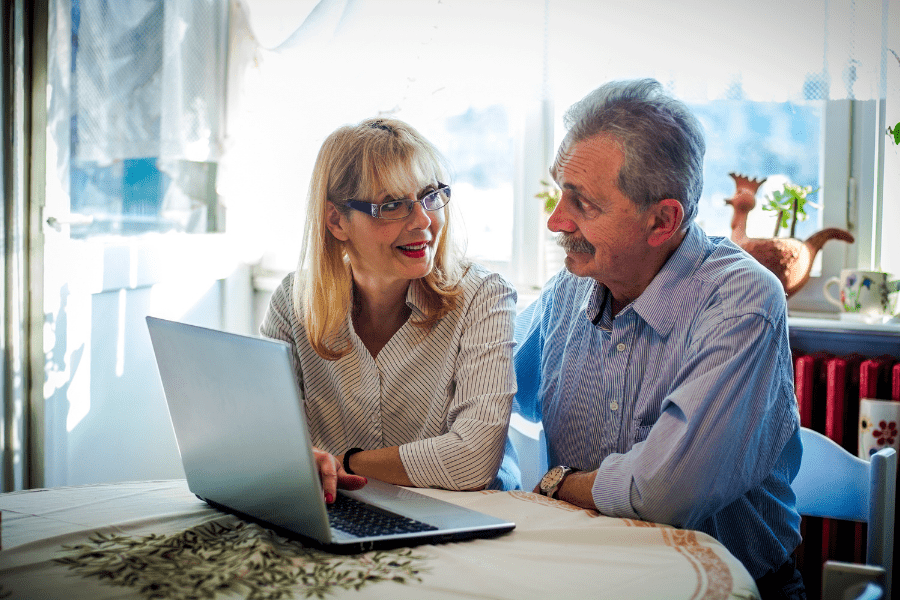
(136, 105)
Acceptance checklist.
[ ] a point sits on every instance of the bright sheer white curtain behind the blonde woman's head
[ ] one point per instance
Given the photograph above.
(463, 73)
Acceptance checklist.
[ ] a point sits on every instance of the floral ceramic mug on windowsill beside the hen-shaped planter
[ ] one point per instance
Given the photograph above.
(868, 293)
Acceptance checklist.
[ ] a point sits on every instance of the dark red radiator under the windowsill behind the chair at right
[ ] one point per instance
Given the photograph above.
(828, 390)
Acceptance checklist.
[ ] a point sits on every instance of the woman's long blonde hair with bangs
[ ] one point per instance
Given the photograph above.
(376, 156)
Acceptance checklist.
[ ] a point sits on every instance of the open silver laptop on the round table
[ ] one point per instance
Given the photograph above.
(241, 429)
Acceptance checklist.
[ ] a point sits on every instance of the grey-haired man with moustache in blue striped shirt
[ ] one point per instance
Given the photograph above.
(658, 360)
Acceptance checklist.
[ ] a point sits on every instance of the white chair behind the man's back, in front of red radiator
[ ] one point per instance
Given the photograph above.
(835, 484)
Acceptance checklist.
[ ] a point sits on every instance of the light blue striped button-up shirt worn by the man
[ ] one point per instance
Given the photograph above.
(684, 402)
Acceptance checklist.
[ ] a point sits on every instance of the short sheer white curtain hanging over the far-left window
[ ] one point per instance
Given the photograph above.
(148, 79)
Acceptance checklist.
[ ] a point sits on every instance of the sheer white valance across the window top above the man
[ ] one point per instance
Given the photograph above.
(766, 50)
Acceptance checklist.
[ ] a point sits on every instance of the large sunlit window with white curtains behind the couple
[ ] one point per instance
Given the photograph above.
(488, 84)
